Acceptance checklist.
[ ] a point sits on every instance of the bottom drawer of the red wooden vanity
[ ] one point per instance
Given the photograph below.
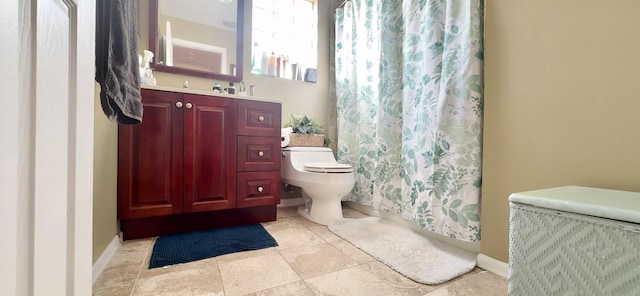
(258, 189)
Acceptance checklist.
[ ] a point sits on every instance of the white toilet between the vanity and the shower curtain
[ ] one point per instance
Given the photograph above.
(324, 182)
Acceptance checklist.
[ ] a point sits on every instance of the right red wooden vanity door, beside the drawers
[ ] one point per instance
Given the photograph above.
(209, 153)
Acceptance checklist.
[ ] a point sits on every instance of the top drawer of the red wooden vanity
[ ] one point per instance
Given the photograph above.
(259, 118)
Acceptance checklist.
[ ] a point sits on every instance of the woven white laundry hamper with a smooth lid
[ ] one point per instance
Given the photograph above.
(574, 241)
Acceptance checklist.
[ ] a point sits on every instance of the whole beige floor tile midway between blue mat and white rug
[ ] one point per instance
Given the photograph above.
(310, 261)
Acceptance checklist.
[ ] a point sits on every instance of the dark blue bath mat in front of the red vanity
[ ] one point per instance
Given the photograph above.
(197, 245)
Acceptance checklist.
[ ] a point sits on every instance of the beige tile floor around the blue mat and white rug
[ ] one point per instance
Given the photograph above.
(310, 260)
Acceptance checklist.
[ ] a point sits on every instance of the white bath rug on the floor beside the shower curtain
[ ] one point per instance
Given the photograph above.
(424, 260)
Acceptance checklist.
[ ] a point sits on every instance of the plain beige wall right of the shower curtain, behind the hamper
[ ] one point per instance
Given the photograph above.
(562, 104)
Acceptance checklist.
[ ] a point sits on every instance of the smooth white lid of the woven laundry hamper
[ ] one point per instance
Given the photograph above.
(606, 203)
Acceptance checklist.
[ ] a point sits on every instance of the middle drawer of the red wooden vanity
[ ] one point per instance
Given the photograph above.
(258, 154)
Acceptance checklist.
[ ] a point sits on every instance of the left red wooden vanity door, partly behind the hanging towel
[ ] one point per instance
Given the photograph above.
(150, 159)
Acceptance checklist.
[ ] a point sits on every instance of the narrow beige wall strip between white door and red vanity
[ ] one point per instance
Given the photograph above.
(105, 167)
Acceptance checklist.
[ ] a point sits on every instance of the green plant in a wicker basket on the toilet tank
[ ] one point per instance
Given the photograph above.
(306, 132)
